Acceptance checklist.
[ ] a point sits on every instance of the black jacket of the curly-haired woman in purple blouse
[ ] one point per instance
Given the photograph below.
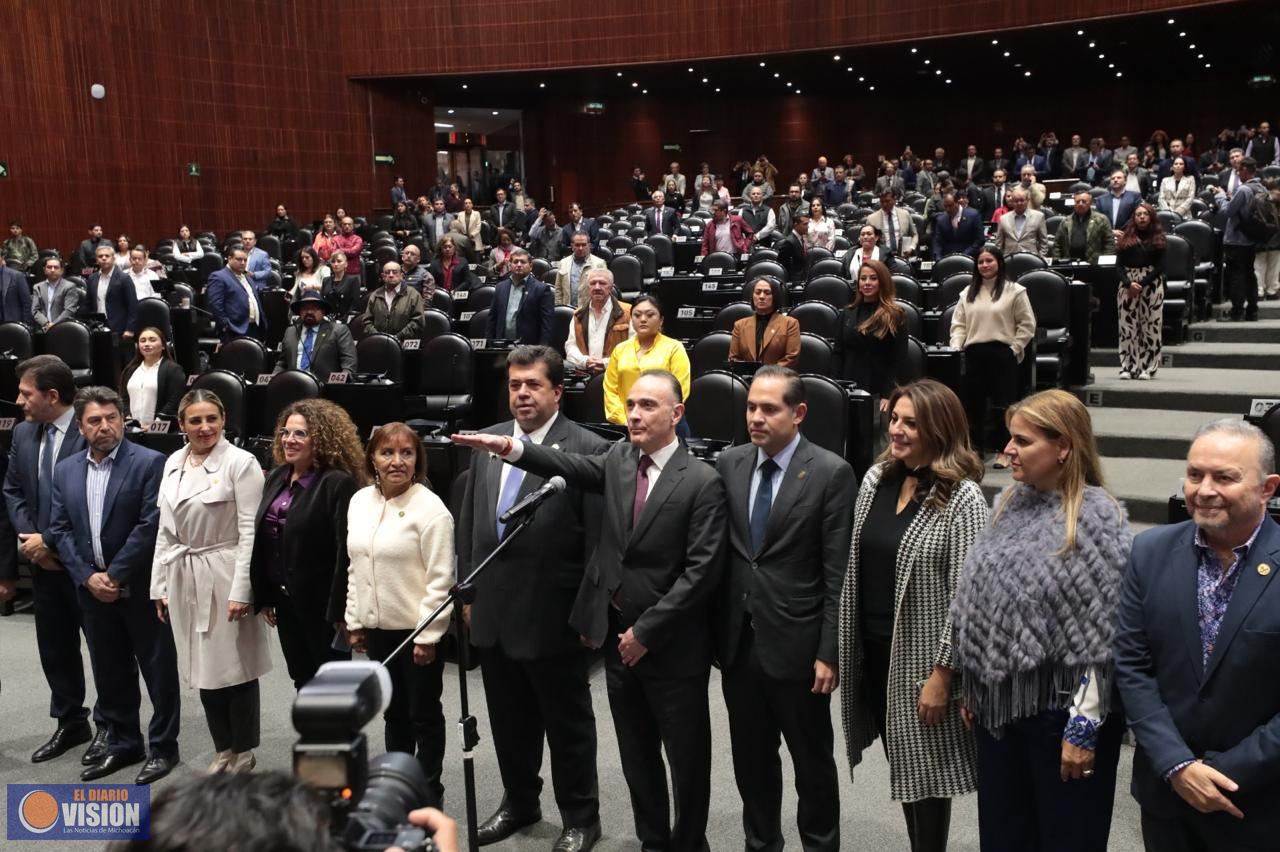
(314, 549)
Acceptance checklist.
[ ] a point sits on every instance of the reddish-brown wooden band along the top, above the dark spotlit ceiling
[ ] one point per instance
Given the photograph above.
(409, 38)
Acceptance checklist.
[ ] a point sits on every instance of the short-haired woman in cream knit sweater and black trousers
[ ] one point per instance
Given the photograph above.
(400, 538)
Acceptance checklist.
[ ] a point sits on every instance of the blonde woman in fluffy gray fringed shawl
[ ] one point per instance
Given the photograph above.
(1035, 619)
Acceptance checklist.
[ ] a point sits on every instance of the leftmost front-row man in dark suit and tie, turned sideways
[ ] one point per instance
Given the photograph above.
(48, 436)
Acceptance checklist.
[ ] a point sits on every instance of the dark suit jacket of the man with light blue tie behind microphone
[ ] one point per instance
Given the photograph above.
(524, 598)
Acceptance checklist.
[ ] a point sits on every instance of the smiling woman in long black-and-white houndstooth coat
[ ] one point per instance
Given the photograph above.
(918, 512)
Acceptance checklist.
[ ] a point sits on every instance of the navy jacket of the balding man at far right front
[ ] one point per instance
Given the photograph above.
(1227, 712)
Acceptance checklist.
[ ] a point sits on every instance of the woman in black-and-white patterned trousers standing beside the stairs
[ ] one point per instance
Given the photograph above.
(1141, 258)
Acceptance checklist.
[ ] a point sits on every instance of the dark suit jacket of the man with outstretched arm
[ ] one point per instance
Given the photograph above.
(666, 571)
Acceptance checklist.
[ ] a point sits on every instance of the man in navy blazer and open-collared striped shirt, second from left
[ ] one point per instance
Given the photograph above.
(104, 523)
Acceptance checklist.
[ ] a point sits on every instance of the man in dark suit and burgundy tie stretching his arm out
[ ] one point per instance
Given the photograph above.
(646, 598)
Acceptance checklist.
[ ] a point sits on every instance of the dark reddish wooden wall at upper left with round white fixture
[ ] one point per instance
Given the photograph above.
(254, 93)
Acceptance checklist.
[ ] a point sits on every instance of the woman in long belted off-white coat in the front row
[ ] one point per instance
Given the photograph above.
(202, 578)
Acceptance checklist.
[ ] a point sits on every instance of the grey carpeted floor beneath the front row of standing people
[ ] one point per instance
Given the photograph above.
(870, 821)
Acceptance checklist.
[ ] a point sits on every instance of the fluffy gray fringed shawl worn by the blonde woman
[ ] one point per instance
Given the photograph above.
(1030, 622)
